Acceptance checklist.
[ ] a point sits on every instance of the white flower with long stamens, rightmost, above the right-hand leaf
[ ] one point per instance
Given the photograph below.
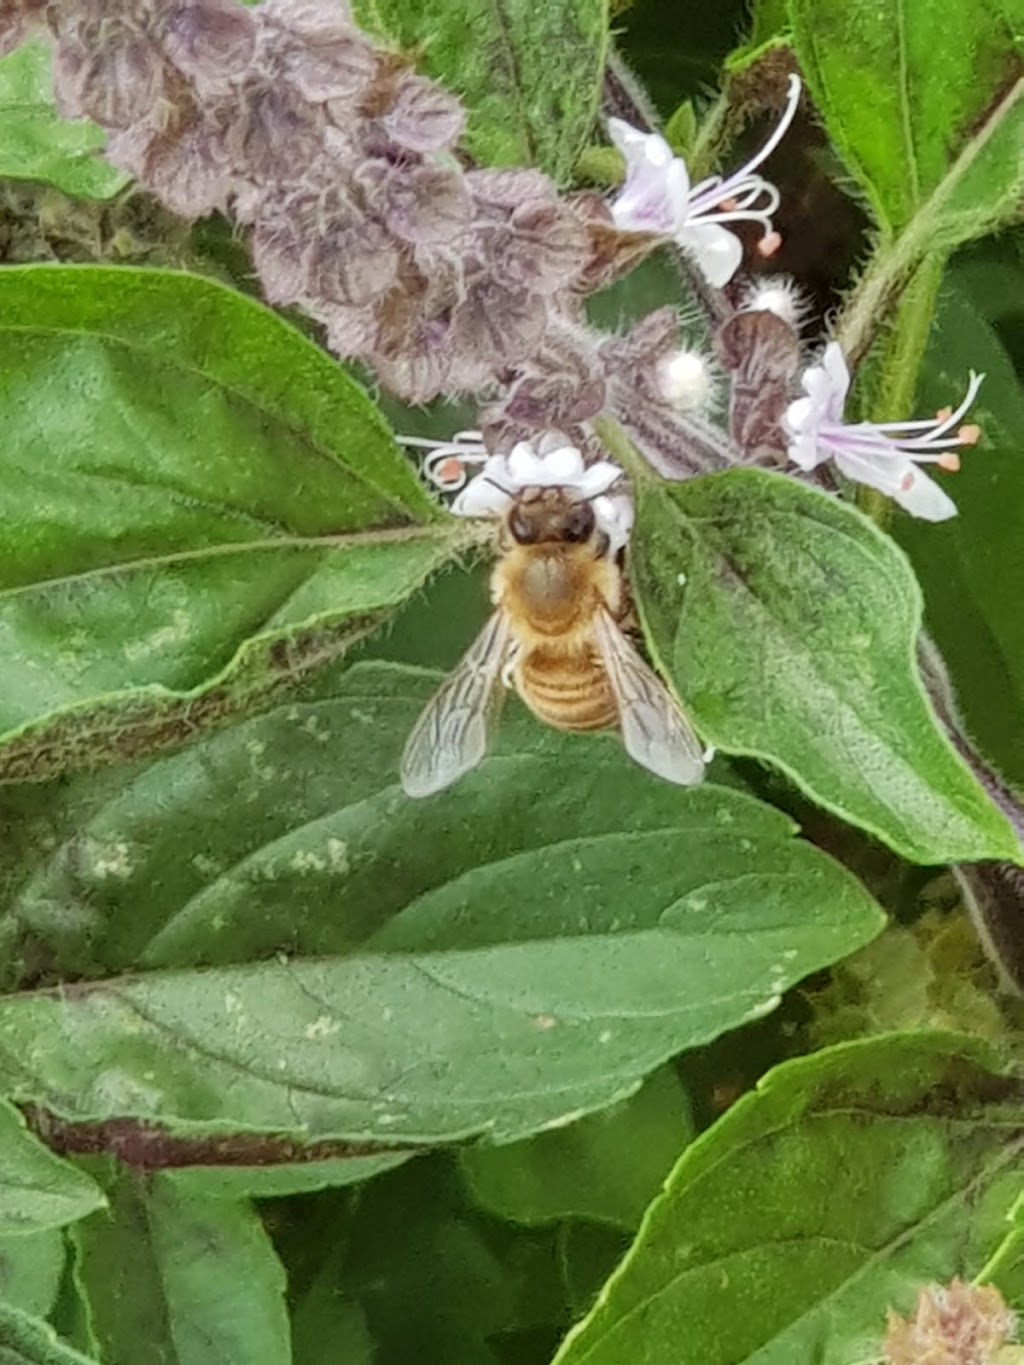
(883, 455)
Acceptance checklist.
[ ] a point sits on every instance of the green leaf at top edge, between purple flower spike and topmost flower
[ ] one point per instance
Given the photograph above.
(529, 74)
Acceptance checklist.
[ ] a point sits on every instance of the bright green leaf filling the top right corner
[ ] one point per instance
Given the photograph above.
(925, 102)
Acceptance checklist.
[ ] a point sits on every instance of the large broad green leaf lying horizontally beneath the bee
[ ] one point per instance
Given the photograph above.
(559, 908)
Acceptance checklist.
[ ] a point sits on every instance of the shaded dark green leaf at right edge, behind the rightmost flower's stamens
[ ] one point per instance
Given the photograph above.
(970, 567)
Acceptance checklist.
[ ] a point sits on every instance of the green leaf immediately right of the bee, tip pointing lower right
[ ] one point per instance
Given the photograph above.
(788, 624)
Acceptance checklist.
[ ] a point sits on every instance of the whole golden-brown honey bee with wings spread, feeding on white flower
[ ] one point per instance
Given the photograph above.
(560, 597)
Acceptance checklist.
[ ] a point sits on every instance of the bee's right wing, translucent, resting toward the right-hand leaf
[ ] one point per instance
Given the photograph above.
(655, 731)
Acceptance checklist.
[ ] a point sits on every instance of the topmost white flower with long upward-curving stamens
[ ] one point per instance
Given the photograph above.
(657, 197)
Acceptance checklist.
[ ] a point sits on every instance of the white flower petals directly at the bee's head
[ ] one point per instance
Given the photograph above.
(503, 477)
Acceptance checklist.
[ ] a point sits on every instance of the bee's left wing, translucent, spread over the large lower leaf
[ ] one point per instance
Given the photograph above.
(451, 735)
